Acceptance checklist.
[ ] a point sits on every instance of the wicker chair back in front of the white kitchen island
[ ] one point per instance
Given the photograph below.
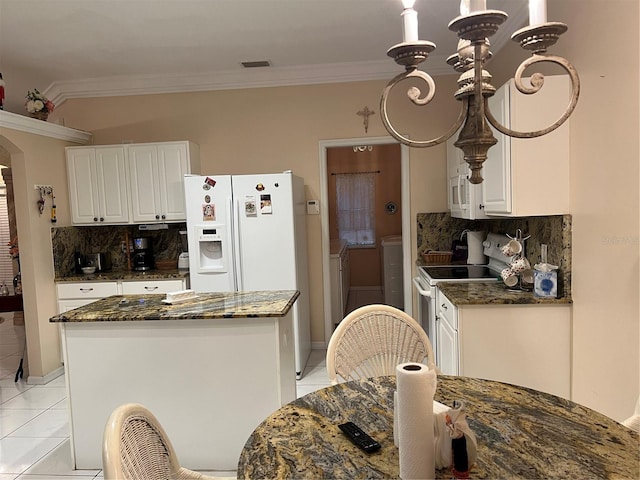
(136, 447)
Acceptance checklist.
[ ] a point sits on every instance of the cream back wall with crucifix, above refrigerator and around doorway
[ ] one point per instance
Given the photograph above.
(270, 130)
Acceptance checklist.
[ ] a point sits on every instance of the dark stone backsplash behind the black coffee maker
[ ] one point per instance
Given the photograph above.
(68, 240)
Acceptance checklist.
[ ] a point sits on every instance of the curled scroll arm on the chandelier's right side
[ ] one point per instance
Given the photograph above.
(537, 81)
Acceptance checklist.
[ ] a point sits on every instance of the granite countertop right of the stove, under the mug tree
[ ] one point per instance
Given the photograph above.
(493, 293)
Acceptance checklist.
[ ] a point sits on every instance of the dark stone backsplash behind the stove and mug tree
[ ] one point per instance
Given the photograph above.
(436, 231)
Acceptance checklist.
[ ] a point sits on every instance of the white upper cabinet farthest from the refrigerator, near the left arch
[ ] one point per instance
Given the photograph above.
(97, 185)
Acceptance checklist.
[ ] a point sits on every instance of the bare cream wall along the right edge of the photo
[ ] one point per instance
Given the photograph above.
(604, 197)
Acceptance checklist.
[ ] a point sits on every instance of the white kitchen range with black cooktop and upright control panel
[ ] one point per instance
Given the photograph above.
(429, 276)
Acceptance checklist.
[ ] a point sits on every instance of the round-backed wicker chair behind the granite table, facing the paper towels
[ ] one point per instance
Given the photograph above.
(372, 340)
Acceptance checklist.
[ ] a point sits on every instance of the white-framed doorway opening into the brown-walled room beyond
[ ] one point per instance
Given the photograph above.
(388, 160)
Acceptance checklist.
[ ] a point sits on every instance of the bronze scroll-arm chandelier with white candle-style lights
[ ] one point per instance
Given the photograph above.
(474, 25)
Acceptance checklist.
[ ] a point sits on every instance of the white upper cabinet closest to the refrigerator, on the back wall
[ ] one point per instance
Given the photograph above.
(156, 174)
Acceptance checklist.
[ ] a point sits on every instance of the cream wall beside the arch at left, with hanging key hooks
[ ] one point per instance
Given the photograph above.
(37, 160)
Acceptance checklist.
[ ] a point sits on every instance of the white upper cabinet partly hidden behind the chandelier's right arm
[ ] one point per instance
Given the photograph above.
(528, 177)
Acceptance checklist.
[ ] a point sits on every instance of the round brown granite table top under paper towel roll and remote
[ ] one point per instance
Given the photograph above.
(521, 433)
